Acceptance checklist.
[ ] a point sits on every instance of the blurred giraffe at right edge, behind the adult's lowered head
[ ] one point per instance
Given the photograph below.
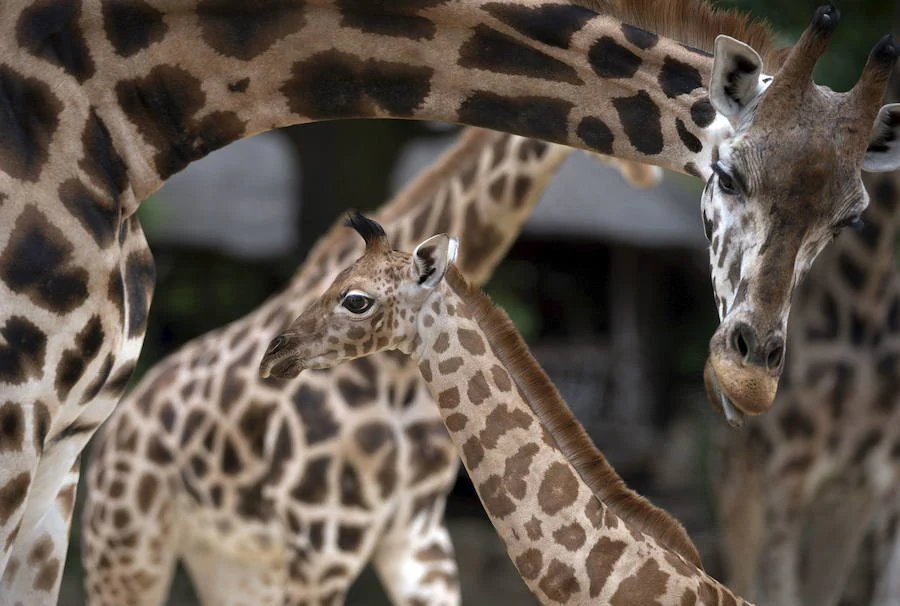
(800, 488)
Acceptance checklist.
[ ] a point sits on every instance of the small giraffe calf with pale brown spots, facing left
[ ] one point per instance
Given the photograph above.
(573, 529)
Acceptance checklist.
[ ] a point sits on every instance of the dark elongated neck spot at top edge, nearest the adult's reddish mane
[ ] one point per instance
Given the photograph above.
(551, 24)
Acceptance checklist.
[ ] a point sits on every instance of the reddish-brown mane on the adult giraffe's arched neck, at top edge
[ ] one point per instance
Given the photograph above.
(695, 23)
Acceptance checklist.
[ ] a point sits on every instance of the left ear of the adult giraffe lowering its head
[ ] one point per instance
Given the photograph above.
(736, 79)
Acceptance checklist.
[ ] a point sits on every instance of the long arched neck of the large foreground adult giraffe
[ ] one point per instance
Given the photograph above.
(173, 84)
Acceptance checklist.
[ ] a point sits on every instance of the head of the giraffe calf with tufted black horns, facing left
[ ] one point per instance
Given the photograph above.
(371, 306)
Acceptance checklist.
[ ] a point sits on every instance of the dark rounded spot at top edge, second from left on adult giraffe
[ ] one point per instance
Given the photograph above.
(132, 25)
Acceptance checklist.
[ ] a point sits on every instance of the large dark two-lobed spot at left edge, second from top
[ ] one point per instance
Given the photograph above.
(37, 263)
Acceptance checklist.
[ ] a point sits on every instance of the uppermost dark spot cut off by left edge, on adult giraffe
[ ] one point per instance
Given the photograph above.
(29, 117)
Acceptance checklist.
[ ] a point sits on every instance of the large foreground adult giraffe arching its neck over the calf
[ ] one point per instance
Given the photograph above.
(102, 100)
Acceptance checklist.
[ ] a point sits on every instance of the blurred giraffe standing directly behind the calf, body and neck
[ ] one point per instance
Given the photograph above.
(292, 486)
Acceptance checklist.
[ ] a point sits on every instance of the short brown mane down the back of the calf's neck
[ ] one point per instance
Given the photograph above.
(559, 421)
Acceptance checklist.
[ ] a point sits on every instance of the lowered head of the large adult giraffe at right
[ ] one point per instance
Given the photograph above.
(782, 186)
